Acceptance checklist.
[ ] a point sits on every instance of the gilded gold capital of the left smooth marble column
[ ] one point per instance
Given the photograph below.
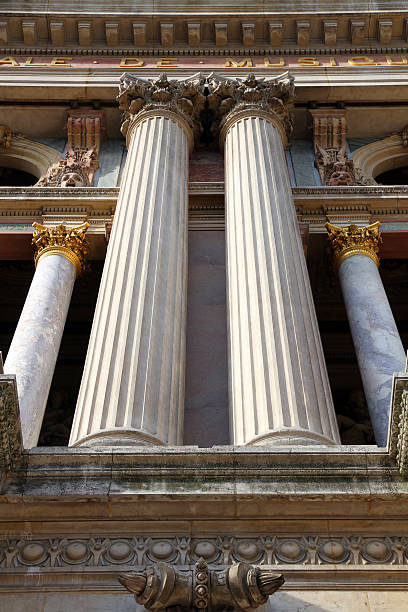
(69, 242)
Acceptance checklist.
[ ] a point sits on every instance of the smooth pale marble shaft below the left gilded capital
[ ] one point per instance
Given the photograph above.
(34, 349)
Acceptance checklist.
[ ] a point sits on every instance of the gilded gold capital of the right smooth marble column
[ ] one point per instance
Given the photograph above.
(354, 240)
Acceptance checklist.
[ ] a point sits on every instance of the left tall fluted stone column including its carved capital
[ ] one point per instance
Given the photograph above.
(132, 390)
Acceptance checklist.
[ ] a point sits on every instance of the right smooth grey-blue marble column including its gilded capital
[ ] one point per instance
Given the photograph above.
(376, 339)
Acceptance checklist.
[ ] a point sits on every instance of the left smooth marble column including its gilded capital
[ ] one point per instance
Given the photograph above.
(34, 349)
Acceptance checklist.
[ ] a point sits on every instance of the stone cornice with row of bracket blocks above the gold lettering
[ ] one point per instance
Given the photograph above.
(190, 25)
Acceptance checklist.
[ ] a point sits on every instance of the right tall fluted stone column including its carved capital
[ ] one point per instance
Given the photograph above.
(279, 391)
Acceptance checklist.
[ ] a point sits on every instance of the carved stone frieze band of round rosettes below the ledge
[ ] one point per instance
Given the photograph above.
(266, 551)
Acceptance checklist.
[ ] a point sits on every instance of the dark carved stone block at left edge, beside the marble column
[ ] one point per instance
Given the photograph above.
(11, 443)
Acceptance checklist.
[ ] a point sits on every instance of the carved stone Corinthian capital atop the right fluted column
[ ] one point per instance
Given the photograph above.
(231, 99)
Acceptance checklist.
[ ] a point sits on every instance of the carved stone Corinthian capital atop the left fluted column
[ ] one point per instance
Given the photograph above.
(182, 99)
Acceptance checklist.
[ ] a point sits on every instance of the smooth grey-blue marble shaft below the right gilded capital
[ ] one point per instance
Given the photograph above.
(376, 339)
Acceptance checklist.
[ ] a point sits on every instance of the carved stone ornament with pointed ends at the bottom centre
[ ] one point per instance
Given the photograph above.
(240, 587)
